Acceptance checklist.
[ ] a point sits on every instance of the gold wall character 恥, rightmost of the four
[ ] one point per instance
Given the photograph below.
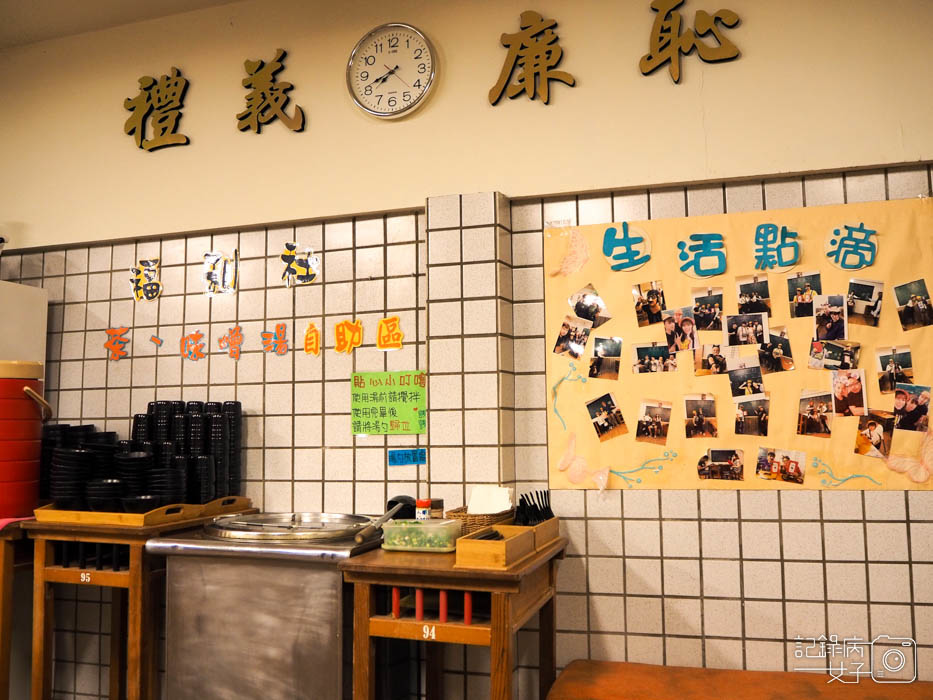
(668, 41)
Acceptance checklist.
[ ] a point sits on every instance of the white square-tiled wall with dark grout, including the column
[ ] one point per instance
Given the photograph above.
(694, 578)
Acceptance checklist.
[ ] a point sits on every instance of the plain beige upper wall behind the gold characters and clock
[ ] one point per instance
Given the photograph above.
(820, 85)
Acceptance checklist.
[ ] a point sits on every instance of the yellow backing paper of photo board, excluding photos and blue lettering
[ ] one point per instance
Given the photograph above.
(578, 459)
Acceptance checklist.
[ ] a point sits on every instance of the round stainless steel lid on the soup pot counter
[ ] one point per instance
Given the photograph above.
(287, 527)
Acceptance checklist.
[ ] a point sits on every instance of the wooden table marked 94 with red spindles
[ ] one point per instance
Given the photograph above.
(516, 594)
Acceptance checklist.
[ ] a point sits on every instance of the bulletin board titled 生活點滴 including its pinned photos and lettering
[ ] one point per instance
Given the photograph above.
(599, 443)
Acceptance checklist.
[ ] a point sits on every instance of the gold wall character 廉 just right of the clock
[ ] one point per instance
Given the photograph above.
(534, 51)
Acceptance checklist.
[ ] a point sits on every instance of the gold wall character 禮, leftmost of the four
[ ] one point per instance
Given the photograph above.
(160, 102)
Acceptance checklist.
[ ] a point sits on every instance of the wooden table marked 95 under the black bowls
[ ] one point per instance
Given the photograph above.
(134, 609)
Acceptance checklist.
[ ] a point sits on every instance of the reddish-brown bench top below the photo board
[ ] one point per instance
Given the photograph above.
(605, 680)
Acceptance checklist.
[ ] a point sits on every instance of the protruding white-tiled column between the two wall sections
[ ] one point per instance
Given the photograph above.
(471, 397)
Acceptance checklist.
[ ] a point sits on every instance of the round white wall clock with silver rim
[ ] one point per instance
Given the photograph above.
(391, 70)
